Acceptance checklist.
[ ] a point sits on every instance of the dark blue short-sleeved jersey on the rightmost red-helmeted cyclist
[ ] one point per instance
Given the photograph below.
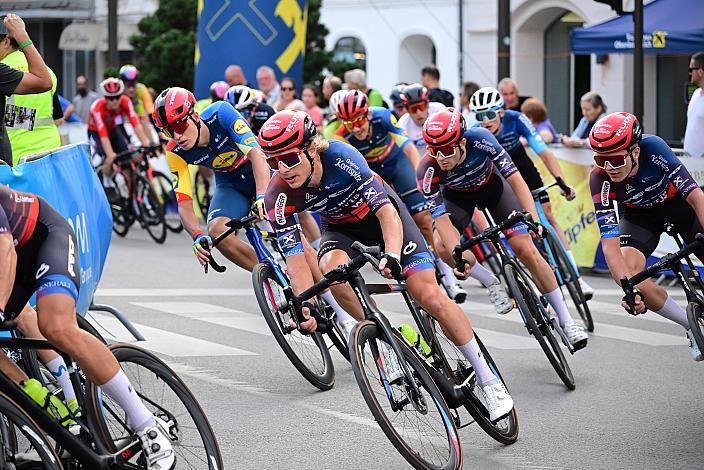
(660, 177)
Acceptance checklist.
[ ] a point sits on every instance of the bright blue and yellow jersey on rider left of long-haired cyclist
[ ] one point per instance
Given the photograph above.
(230, 141)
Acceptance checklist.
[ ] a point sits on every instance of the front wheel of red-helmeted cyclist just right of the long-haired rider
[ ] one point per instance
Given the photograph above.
(527, 302)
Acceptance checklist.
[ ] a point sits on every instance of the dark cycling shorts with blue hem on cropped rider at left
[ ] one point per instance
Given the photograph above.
(47, 263)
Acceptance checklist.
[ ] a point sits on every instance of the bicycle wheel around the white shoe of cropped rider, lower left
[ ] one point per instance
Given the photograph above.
(115, 430)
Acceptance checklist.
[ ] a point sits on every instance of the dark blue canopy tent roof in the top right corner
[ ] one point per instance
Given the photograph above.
(669, 27)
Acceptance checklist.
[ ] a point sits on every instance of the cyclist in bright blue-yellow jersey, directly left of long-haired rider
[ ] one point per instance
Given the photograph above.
(219, 139)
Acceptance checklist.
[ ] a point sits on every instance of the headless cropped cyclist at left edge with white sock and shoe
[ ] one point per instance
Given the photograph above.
(38, 254)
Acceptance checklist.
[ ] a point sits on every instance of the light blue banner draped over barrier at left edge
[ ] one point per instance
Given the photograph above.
(67, 181)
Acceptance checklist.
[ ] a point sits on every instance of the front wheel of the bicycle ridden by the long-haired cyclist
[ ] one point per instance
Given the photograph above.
(419, 427)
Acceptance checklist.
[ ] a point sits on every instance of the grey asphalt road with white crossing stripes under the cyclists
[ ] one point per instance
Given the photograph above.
(637, 402)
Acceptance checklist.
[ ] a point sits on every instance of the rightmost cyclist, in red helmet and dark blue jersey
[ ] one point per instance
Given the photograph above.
(652, 187)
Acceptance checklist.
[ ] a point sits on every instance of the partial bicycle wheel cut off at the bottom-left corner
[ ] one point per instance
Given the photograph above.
(17, 422)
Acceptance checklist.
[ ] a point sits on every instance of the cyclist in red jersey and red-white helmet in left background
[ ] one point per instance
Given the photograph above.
(106, 132)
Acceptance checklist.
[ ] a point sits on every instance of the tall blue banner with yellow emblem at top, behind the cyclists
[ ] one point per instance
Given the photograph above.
(249, 34)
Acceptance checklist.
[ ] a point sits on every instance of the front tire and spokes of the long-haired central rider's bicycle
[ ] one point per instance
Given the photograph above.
(451, 452)
